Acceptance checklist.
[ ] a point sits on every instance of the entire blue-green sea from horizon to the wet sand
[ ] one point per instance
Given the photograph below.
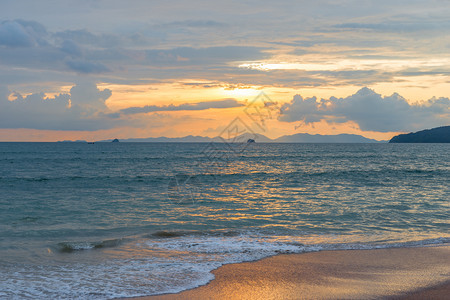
(107, 220)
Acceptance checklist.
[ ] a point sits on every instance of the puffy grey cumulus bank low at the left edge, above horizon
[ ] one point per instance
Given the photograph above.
(82, 109)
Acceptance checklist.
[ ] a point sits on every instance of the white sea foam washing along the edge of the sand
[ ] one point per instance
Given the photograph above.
(170, 266)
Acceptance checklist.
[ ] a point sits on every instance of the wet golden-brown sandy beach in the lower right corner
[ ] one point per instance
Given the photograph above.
(397, 273)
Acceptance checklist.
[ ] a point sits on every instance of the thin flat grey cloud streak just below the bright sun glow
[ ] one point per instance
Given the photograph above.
(225, 103)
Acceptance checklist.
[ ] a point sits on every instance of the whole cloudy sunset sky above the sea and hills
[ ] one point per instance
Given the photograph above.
(103, 69)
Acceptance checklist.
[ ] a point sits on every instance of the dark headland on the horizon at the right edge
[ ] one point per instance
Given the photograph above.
(435, 135)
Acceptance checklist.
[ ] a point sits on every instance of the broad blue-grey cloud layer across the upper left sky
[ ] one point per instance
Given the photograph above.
(28, 45)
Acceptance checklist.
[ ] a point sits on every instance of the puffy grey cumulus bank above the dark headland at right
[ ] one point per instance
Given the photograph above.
(371, 111)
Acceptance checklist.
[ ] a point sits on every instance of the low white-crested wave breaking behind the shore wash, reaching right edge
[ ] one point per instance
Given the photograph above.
(254, 243)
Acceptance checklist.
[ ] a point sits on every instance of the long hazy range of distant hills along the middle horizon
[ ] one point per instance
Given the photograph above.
(258, 138)
